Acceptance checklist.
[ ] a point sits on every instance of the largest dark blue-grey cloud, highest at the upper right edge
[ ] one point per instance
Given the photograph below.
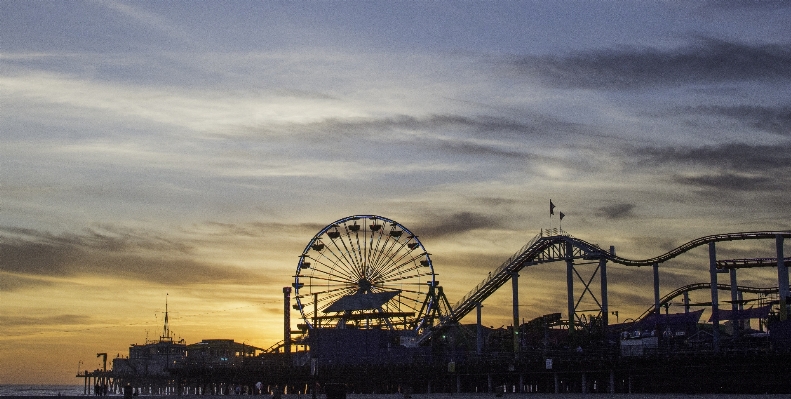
(706, 61)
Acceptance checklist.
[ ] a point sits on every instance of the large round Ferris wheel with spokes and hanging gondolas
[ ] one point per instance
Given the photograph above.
(364, 271)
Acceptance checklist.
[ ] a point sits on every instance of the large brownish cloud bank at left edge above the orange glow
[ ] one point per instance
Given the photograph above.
(28, 253)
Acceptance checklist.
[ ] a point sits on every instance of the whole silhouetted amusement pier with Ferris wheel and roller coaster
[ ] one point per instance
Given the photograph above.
(374, 317)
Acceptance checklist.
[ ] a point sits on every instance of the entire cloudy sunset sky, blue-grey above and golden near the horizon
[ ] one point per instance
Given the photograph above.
(192, 149)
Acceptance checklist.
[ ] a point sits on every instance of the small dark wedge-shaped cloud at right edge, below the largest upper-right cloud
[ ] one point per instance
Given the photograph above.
(770, 119)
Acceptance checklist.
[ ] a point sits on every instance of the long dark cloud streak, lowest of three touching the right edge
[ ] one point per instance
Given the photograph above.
(740, 157)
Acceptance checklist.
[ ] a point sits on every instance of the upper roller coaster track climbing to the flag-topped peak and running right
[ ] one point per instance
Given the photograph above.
(552, 248)
